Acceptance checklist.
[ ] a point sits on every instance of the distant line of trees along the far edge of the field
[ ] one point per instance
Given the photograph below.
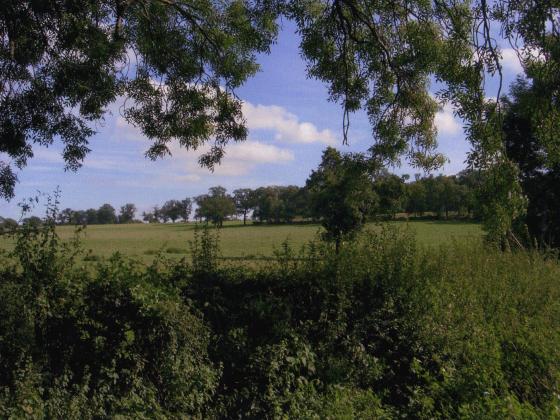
(387, 195)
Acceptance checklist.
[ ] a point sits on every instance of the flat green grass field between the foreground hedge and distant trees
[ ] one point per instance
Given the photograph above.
(236, 240)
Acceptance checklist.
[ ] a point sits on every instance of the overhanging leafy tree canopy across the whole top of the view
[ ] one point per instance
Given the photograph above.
(176, 65)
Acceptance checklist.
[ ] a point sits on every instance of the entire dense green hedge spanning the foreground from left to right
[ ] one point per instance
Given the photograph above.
(381, 330)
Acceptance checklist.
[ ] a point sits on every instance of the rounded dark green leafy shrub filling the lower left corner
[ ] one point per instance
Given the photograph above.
(112, 342)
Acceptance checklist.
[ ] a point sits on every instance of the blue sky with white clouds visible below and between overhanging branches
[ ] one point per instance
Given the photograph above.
(290, 123)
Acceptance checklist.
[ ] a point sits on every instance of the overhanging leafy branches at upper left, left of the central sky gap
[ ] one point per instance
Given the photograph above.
(176, 62)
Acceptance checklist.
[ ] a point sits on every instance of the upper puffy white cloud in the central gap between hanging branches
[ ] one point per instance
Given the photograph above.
(286, 125)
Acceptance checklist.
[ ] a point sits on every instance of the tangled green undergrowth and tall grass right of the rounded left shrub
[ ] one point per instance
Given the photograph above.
(458, 332)
